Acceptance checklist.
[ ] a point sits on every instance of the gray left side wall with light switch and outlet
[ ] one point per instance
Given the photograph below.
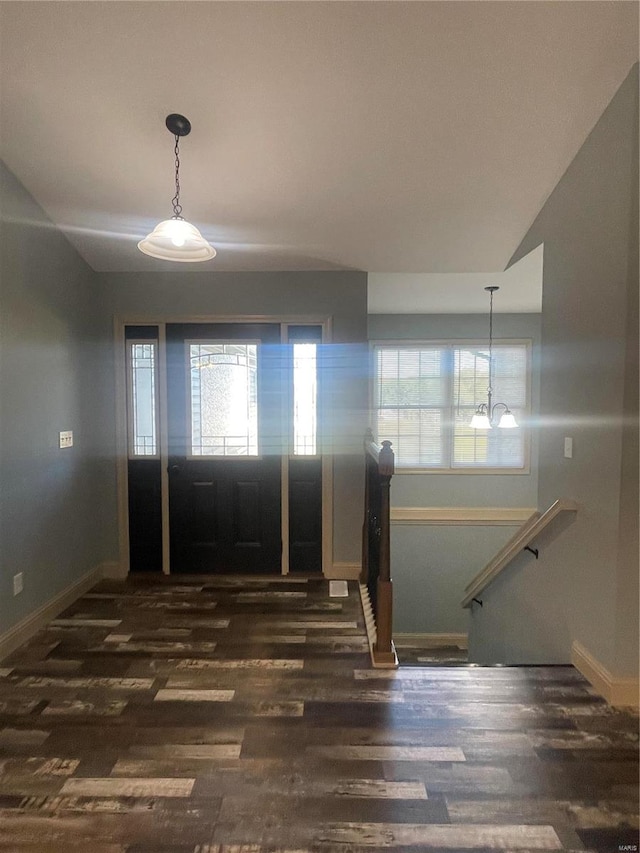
(56, 506)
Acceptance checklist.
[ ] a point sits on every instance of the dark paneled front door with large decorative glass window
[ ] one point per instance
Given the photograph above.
(224, 407)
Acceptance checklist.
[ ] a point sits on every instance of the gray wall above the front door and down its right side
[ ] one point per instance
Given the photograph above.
(339, 295)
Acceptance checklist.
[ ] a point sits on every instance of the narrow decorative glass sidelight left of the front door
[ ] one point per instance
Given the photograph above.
(142, 415)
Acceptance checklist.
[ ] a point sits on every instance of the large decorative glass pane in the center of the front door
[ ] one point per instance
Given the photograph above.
(224, 399)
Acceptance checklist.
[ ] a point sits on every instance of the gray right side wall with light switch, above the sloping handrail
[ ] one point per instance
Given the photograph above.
(587, 575)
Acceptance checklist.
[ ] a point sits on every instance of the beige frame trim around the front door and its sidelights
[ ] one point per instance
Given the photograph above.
(122, 491)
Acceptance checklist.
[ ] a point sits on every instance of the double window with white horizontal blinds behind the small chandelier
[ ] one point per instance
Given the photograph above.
(425, 396)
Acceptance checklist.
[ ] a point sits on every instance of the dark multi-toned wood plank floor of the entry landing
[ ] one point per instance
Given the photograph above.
(224, 715)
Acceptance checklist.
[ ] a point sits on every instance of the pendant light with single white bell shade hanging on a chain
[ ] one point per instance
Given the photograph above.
(176, 239)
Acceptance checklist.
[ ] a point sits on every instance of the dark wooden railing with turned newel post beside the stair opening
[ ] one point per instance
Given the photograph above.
(376, 558)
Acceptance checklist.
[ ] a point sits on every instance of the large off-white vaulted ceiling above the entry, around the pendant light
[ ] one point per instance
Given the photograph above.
(393, 137)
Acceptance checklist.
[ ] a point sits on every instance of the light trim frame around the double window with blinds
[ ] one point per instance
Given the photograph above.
(459, 343)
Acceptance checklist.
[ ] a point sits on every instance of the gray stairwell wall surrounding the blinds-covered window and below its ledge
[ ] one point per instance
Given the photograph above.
(432, 564)
